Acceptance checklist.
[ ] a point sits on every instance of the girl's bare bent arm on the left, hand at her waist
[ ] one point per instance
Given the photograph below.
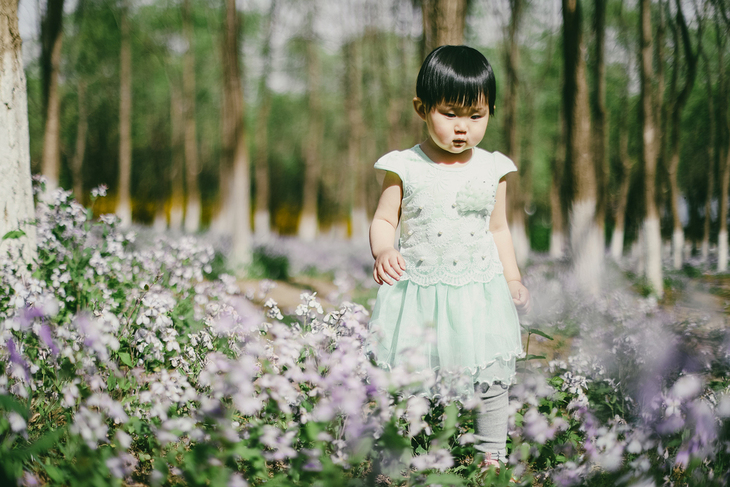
(389, 263)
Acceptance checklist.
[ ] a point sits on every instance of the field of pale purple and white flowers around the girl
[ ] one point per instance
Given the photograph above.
(133, 360)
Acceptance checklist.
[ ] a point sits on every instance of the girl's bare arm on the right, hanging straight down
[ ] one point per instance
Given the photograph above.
(503, 238)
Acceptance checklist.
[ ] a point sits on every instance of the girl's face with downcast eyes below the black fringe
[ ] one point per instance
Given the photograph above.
(454, 129)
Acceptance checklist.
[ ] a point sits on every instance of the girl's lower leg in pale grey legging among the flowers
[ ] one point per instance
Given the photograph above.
(490, 427)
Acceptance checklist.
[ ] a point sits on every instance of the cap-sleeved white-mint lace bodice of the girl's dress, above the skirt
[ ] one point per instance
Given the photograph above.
(445, 216)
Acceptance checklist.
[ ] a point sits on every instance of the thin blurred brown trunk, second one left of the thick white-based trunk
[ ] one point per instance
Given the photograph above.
(177, 136)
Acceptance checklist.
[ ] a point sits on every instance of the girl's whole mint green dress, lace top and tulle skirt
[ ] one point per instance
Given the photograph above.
(452, 309)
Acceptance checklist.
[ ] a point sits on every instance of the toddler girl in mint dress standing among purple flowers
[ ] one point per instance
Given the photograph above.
(455, 270)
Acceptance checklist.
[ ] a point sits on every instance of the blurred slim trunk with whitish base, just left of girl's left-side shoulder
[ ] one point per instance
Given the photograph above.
(356, 128)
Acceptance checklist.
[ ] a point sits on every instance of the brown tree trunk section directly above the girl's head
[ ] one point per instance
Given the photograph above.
(443, 22)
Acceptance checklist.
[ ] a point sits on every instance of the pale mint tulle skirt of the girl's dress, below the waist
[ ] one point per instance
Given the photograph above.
(471, 329)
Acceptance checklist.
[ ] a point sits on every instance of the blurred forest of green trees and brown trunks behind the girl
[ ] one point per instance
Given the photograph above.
(135, 95)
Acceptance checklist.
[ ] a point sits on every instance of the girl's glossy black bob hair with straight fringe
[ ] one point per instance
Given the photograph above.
(458, 75)
